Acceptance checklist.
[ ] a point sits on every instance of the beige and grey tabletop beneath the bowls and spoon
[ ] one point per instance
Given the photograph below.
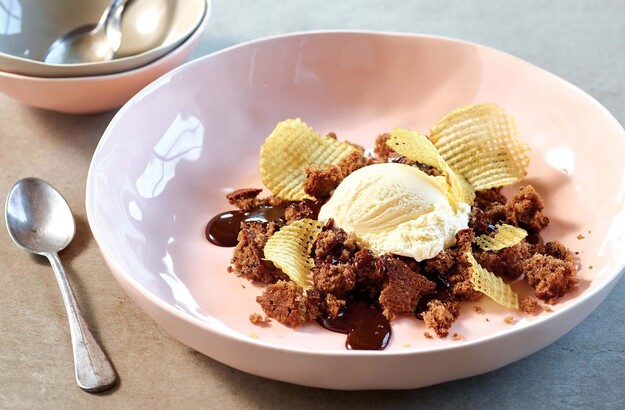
(582, 41)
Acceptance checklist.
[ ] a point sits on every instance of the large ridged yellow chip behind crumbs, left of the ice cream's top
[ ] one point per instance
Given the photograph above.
(288, 150)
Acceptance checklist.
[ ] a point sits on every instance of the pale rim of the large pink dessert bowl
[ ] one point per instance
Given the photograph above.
(237, 337)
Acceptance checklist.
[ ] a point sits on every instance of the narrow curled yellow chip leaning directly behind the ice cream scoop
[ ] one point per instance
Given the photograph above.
(418, 148)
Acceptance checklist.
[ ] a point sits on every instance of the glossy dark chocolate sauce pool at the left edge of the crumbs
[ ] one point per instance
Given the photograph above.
(224, 228)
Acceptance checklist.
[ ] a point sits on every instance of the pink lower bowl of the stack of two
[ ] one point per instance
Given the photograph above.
(88, 95)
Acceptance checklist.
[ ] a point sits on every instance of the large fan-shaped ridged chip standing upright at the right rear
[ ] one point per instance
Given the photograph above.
(481, 143)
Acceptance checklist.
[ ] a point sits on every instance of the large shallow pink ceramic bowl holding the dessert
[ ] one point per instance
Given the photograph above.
(168, 158)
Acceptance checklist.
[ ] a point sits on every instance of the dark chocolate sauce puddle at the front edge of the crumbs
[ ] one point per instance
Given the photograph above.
(364, 324)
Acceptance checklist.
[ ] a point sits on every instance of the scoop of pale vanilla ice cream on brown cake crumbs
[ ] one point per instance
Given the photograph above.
(396, 208)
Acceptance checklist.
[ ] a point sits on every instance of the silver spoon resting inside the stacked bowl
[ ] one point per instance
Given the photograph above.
(90, 43)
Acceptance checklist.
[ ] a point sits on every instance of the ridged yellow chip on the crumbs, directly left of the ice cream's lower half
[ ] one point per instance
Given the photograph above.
(289, 249)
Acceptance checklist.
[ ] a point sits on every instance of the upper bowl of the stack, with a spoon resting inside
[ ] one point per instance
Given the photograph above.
(33, 26)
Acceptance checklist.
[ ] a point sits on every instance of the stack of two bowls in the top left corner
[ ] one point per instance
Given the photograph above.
(156, 36)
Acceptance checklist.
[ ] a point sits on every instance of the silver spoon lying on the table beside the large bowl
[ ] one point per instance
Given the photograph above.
(40, 221)
